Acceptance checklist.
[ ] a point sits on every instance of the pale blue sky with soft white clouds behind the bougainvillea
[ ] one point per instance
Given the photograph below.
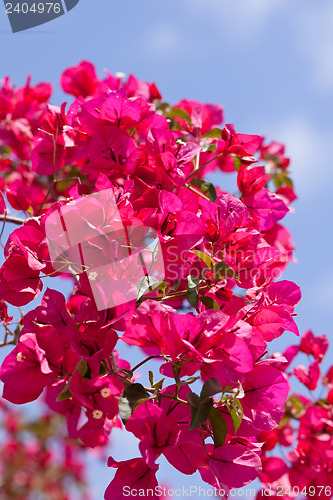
(268, 62)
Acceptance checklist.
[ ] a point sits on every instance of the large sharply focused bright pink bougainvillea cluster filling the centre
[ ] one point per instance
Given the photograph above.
(209, 320)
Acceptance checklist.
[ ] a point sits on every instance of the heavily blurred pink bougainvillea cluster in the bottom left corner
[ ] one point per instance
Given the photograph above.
(37, 460)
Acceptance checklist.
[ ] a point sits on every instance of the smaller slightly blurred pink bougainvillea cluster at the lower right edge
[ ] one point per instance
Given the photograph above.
(305, 432)
